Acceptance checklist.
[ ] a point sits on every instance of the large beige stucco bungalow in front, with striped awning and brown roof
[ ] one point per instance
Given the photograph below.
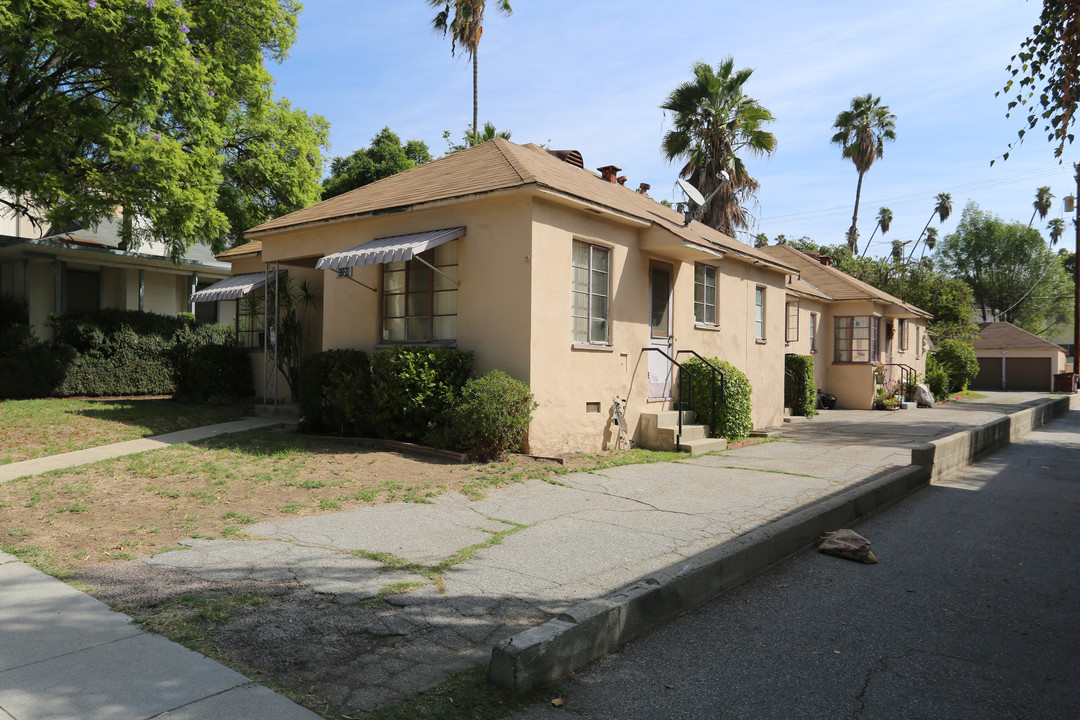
(561, 278)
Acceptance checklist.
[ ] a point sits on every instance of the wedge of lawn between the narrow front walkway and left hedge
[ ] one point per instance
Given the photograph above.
(35, 429)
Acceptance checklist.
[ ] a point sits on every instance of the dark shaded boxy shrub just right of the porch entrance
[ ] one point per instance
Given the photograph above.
(336, 392)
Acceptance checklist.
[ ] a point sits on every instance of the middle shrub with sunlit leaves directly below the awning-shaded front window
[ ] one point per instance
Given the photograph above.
(412, 388)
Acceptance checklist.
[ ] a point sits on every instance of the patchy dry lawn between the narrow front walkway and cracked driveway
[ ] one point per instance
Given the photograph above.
(139, 506)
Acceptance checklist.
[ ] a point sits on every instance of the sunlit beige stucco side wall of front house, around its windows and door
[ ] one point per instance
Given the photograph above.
(572, 382)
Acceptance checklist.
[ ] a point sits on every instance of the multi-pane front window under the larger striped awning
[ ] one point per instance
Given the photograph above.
(421, 305)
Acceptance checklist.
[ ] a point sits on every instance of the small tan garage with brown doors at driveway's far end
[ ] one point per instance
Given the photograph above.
(1014, 359)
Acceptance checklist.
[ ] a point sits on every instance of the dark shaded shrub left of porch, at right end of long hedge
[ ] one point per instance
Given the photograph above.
(214, 374)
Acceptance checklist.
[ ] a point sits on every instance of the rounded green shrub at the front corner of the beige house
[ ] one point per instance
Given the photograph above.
(490, 418)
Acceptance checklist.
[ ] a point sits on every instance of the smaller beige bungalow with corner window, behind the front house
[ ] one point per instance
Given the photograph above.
(849, 328)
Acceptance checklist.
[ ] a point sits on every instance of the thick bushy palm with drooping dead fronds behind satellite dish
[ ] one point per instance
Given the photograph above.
(714, 124)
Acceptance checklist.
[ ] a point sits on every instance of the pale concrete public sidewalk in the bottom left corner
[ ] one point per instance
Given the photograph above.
(66, 657)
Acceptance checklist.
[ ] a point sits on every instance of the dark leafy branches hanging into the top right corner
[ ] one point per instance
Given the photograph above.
(1045, 78)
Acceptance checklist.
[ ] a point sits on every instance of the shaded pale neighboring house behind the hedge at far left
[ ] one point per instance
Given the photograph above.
(88, 269)
